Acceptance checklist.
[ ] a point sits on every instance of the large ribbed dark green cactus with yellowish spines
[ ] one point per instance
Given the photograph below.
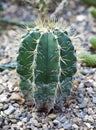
(46, 64)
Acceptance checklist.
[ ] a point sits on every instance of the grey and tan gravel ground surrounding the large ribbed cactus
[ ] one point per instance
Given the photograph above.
(79, 113)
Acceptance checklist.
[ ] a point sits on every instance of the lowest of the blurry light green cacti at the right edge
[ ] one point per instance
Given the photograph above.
(89, 59)
